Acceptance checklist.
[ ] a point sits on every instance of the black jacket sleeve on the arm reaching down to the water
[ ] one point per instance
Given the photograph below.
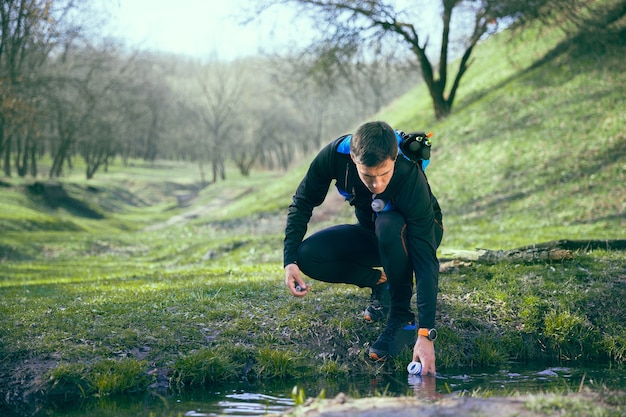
(415, 202)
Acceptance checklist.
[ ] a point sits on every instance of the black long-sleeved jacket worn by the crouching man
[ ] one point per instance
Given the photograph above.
(408, 191)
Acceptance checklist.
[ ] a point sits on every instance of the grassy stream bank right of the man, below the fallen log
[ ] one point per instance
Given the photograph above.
(561, 312)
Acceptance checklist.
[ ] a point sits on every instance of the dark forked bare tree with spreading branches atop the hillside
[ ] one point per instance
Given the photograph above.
(351, 25)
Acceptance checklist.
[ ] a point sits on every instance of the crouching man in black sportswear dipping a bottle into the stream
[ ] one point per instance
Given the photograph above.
(399, 228)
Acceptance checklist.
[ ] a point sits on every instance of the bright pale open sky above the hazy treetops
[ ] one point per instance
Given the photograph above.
(202, 28)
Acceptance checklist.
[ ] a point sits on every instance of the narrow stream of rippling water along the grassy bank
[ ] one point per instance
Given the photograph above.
(245, 400)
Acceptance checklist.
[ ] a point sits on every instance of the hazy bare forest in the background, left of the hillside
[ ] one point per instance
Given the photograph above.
(67, 93)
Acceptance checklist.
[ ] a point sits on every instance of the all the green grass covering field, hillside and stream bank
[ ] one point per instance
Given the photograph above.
(153, 294)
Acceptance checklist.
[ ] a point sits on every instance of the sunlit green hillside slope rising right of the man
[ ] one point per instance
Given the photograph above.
(535, 149)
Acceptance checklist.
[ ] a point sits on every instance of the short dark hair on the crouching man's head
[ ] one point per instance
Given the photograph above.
(373, 143)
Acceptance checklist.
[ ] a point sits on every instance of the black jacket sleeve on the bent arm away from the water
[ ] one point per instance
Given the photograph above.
(310, 193)
